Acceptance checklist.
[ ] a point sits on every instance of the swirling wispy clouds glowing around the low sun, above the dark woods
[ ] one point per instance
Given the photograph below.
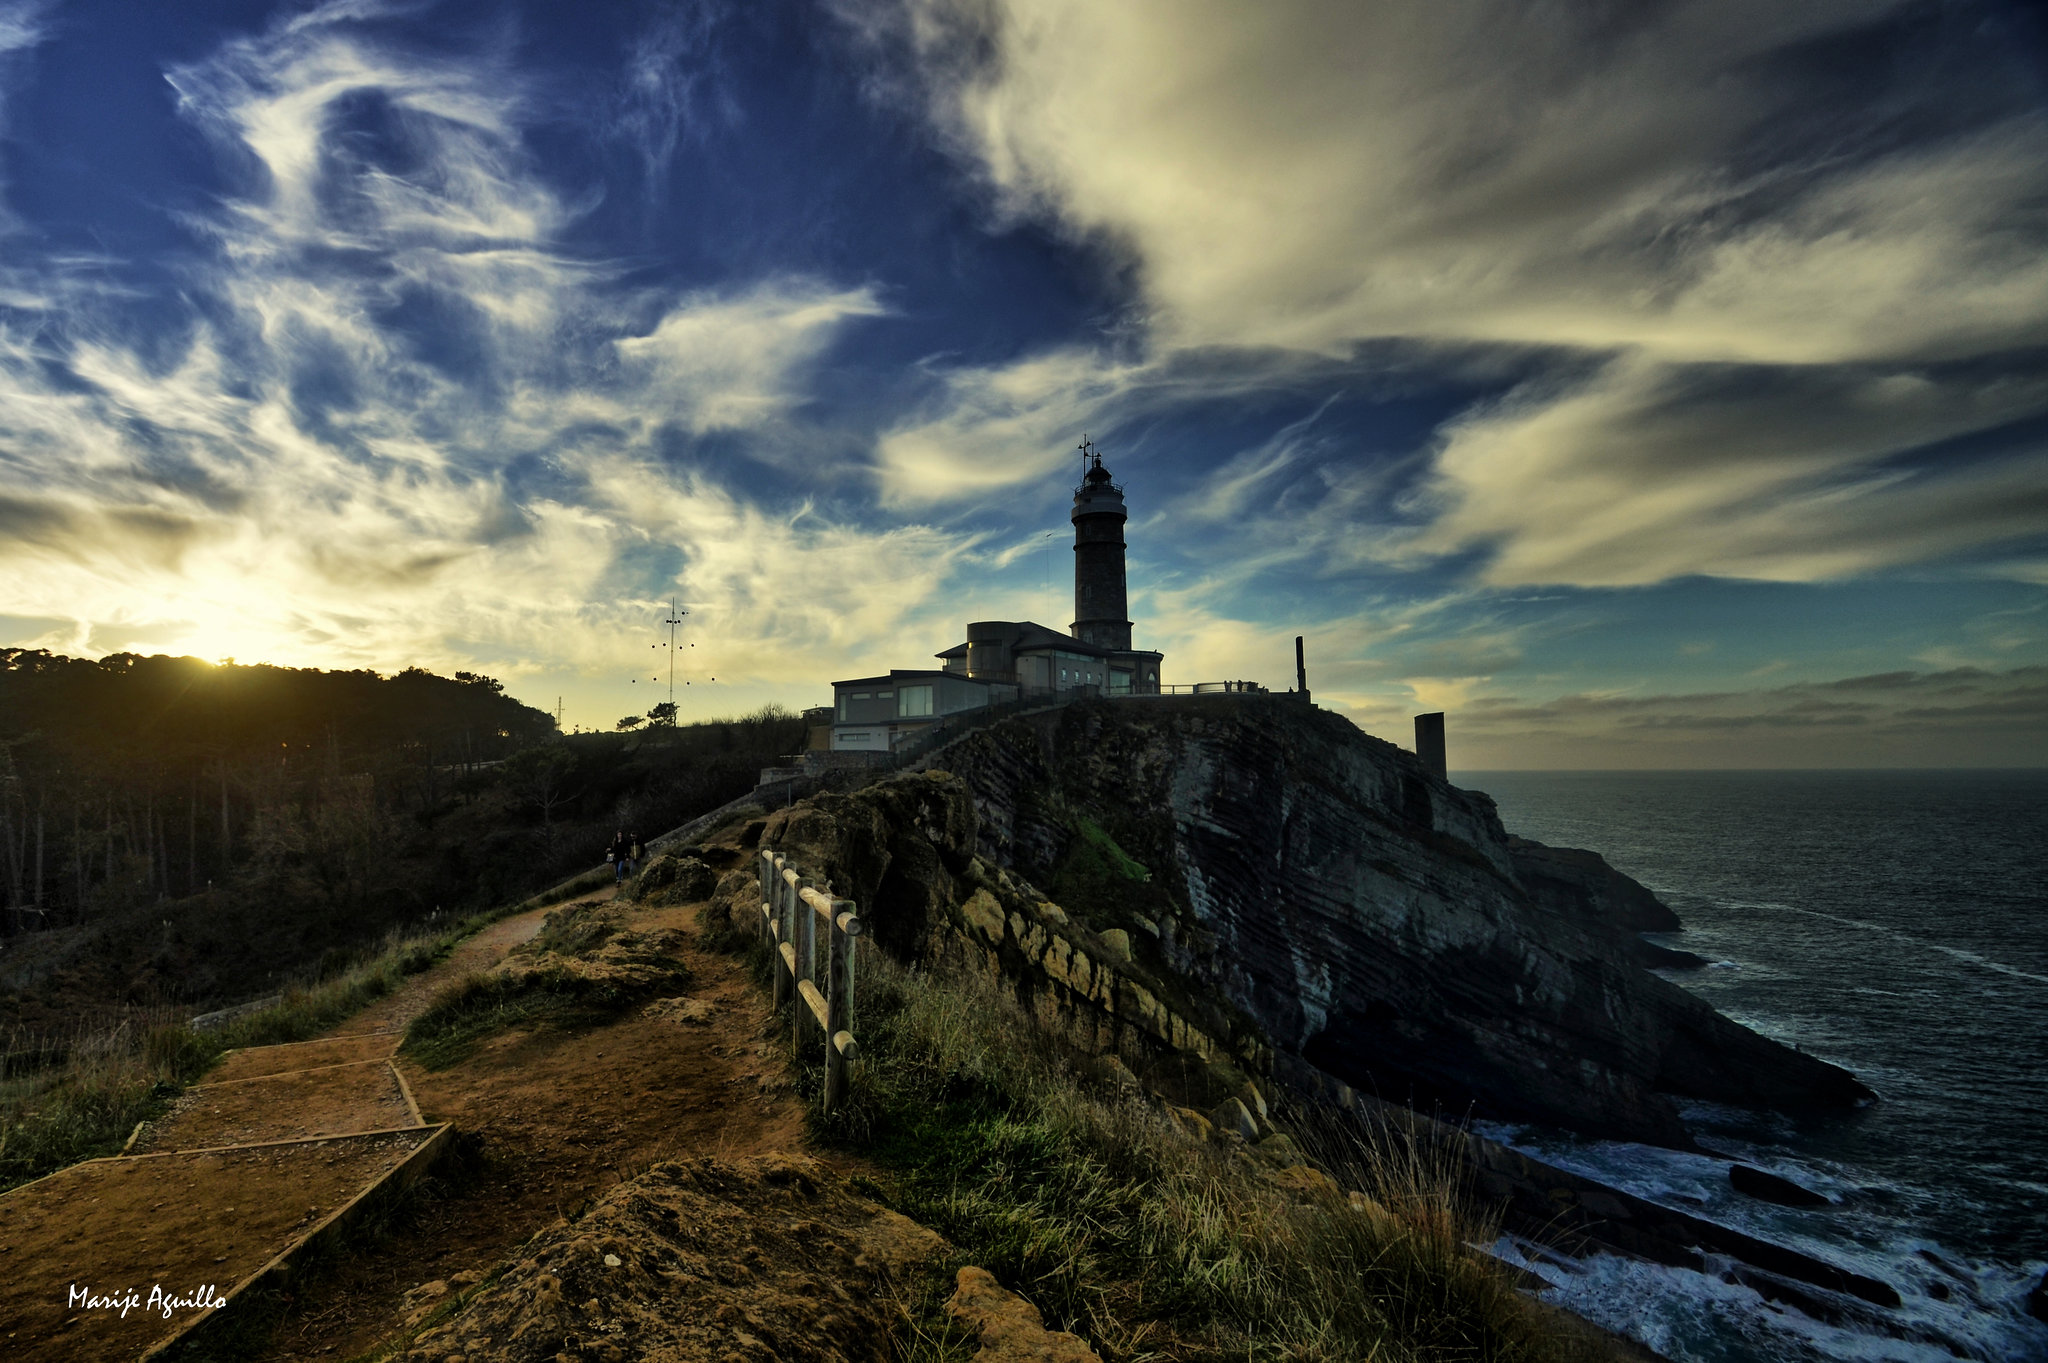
(407, 423)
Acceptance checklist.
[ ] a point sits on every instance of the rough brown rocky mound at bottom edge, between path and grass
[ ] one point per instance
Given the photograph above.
(699, 1262)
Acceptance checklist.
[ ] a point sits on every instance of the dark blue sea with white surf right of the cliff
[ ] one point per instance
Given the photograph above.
(1897, 926)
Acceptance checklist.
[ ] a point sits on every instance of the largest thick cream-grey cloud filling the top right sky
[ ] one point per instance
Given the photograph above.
(1490, 171)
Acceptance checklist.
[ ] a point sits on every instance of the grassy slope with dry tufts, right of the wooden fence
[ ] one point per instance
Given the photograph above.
(1148, 1243)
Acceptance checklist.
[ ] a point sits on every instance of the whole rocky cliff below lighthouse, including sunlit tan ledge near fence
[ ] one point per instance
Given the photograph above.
(1258, 881)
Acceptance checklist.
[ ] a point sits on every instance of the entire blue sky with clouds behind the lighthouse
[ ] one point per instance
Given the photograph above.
(1646, 386)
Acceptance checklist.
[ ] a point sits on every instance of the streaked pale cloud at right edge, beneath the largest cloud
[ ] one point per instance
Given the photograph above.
(1654, 472)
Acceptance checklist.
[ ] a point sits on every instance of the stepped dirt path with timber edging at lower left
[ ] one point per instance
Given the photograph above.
(243, 1166)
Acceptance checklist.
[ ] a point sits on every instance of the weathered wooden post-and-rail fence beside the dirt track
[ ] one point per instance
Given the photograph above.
(792, 910)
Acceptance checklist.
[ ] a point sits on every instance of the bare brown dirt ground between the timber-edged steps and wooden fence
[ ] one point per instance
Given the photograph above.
(560, 1118)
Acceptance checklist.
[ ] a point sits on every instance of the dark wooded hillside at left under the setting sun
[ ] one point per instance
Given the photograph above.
(189, 834)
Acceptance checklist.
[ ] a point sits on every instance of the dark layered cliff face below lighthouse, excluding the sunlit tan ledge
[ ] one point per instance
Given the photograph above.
(1377, 922)
